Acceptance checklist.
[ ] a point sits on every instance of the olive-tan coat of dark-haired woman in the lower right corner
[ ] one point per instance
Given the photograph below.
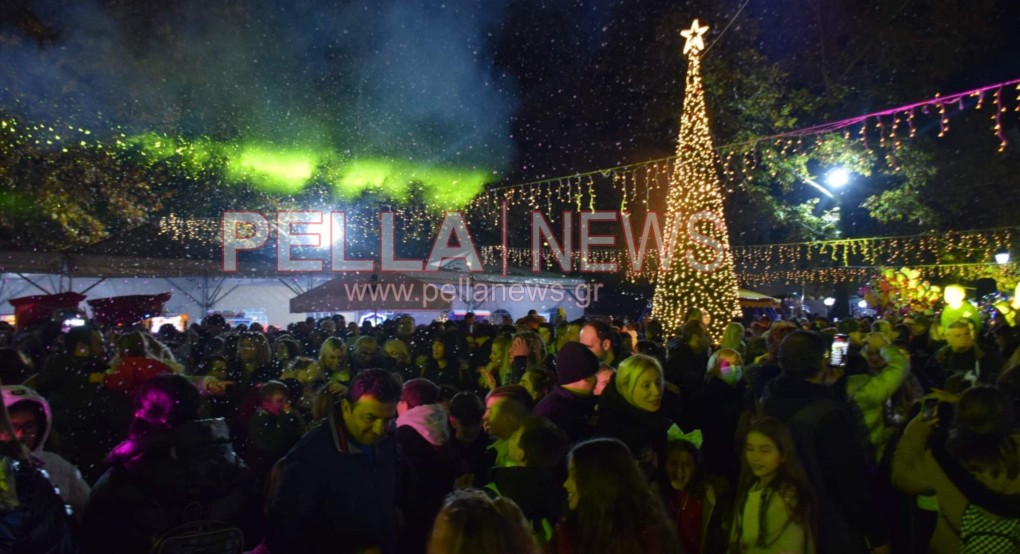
(916, 471)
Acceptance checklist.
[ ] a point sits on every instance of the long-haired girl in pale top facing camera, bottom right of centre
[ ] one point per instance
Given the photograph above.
(775, 513)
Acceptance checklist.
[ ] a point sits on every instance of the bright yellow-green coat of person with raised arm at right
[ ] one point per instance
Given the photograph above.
(871, 393)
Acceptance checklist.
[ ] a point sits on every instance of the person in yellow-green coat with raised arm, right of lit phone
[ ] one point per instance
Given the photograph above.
(888, 368)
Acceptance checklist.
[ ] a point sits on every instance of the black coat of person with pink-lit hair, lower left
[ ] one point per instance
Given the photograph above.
(135, 505)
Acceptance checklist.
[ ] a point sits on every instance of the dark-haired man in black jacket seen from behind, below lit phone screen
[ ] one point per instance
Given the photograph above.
(830, 445)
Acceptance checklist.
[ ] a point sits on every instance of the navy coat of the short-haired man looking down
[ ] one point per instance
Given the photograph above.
(335, 496)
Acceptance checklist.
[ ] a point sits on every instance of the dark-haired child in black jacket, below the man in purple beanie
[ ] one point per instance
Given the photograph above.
(537, 448)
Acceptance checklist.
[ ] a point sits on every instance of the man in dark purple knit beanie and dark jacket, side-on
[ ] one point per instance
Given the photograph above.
(572, 405)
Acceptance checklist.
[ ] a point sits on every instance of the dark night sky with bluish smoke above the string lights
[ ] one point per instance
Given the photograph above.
(520, 89)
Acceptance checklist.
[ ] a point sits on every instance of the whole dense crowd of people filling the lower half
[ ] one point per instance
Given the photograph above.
(468, 437)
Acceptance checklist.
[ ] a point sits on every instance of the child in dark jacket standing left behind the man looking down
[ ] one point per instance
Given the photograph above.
(273, 430)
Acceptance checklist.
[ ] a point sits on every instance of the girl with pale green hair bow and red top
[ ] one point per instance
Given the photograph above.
(691, 500)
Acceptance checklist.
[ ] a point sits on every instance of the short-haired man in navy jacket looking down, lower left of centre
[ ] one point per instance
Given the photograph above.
(338, 489)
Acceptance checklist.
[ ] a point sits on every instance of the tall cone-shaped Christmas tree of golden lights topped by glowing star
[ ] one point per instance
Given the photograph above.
(701, 275)
